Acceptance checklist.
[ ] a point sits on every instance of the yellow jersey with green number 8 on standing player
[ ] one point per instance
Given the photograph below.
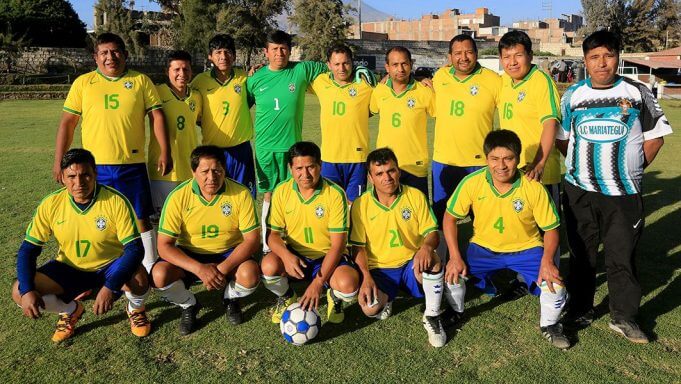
(181, 116)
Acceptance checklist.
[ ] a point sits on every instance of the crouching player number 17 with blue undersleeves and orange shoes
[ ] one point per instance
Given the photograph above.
(99, 249)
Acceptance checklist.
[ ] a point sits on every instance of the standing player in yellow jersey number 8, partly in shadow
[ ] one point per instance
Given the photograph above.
(181, 108)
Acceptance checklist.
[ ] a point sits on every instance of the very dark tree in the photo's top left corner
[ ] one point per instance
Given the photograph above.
(43, 23)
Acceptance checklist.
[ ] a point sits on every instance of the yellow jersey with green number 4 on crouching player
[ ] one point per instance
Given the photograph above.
(508, 222)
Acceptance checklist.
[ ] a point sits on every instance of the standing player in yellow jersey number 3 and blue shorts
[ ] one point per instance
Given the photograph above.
(226, 119)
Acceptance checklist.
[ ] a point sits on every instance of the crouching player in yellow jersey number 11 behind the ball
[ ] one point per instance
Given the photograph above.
(308, 224)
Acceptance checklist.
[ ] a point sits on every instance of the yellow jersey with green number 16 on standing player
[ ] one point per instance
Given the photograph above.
(523, 108)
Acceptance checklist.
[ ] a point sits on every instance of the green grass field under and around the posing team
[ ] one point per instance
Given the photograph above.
(498, 343)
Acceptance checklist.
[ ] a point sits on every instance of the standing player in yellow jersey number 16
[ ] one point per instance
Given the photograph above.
(529, 106)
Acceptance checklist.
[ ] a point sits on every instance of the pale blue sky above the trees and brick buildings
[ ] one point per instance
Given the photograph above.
(509, 11)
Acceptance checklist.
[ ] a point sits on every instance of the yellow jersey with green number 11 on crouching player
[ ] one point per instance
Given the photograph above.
(309, 223)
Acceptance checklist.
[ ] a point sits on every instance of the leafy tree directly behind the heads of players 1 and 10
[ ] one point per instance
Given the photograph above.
(322, 23)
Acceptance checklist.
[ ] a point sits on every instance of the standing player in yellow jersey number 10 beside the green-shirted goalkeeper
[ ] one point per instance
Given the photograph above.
(344, 121)
